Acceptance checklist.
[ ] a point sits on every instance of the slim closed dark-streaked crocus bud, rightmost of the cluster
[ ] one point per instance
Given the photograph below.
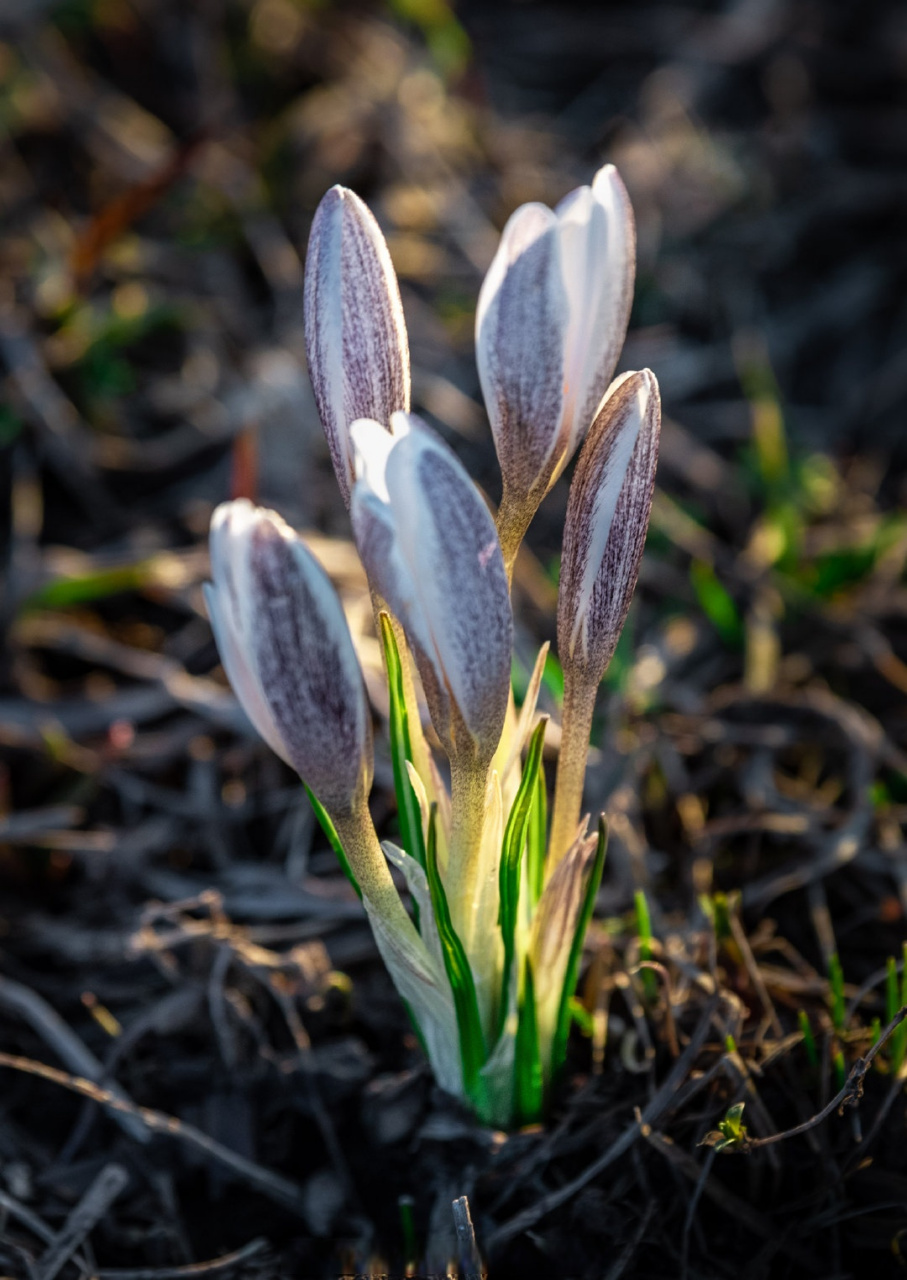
(607, 522)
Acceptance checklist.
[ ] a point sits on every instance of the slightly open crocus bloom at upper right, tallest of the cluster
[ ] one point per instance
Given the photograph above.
(552, 321)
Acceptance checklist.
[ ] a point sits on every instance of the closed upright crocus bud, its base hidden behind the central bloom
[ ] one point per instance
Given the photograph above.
(356, 336)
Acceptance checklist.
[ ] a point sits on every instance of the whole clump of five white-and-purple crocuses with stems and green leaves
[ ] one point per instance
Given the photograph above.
(487, 957)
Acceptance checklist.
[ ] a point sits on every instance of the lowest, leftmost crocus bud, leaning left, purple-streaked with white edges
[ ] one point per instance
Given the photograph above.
(287, 651)
